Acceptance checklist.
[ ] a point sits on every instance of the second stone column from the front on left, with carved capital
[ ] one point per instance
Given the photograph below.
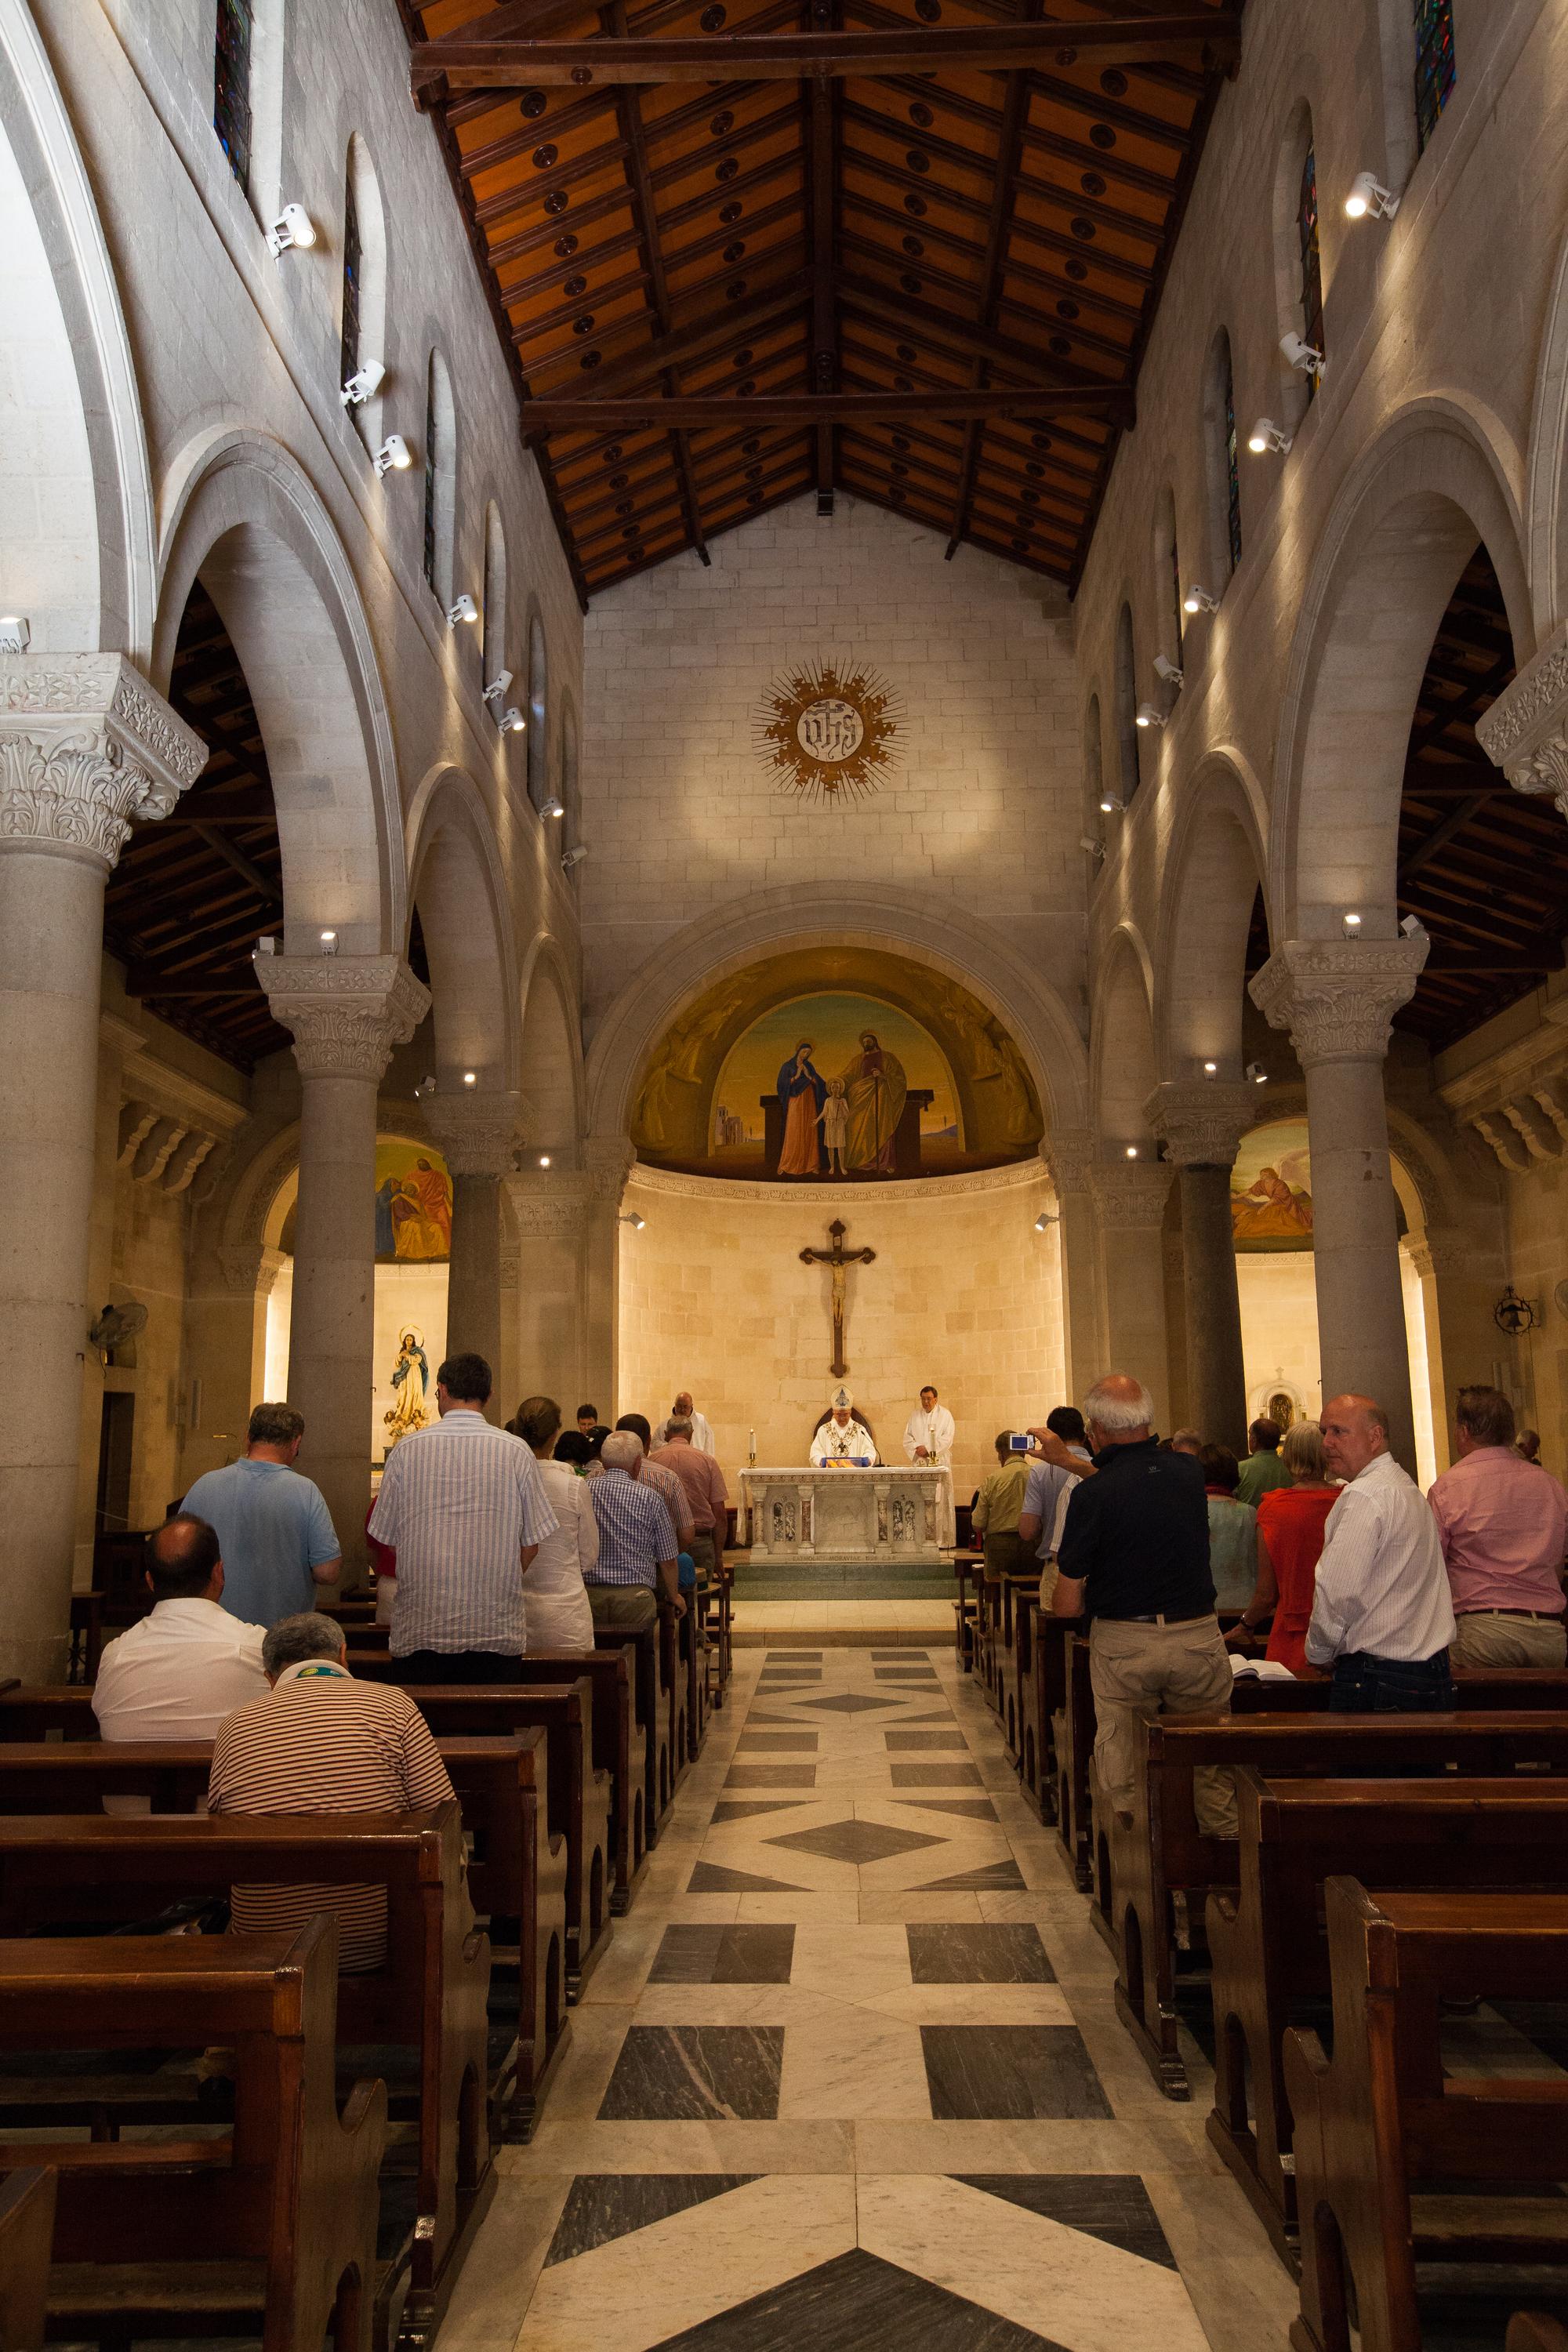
(344, 1013)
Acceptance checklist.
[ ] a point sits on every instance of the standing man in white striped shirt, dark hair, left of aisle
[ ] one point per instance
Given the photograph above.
(464, 1509)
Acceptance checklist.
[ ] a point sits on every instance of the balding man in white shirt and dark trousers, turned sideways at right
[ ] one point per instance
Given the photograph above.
(1381, 1617)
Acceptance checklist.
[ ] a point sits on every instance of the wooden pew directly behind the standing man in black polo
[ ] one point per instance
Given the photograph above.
(1153, 1850)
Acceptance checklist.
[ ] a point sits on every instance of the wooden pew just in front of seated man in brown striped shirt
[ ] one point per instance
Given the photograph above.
(516, 1869)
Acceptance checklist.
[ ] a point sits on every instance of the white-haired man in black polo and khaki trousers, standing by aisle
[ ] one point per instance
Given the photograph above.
(1137, 1558)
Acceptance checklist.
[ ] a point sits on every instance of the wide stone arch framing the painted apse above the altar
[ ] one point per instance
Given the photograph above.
(885, 918)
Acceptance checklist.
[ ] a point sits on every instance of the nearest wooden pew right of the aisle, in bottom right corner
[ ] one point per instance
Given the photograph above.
(1379, 2127)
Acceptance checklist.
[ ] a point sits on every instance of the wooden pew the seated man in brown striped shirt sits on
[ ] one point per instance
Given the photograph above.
(429, 1998)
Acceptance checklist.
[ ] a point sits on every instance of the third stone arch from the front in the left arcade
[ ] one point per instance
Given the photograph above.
(460, 888)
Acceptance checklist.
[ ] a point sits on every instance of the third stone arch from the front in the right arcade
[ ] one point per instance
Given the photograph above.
(1214, 871)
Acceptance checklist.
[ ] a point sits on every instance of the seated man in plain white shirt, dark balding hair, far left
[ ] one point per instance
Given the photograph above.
(187, 1666)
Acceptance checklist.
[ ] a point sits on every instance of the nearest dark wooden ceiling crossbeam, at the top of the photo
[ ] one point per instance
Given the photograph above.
(462, 62)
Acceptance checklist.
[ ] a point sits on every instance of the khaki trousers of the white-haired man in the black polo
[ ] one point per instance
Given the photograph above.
(1148, 1671)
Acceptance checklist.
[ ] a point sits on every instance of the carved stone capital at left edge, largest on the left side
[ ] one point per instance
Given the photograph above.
(86, 751)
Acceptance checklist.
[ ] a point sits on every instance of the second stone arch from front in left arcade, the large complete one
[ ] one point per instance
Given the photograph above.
(246, 519)
